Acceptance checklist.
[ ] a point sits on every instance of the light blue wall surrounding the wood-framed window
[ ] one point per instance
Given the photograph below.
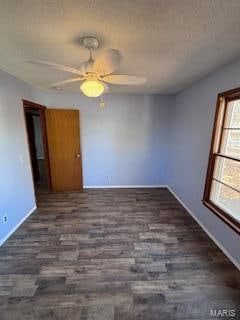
(190, 136)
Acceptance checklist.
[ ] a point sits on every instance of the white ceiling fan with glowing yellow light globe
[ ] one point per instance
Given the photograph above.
(94, 74)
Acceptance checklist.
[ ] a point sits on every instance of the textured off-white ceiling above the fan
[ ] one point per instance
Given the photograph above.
(171, 42)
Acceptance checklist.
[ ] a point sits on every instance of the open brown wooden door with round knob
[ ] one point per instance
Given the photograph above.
(64, 149)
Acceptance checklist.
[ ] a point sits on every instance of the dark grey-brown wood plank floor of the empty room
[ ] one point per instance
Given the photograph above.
(114, 254)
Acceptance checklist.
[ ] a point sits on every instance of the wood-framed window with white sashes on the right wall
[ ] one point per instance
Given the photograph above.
(222, 189)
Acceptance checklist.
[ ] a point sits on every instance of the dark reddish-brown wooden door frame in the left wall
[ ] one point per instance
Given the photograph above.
(41, 109)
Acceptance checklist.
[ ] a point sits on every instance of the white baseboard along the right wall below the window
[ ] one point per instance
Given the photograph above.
(206, 231)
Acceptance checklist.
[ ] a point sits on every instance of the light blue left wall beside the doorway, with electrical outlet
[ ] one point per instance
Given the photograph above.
(16, 189)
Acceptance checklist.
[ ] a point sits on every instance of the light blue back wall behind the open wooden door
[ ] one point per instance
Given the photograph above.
(126, 140)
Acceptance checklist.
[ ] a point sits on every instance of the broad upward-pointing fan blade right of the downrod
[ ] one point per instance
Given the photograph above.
(107, 62)
